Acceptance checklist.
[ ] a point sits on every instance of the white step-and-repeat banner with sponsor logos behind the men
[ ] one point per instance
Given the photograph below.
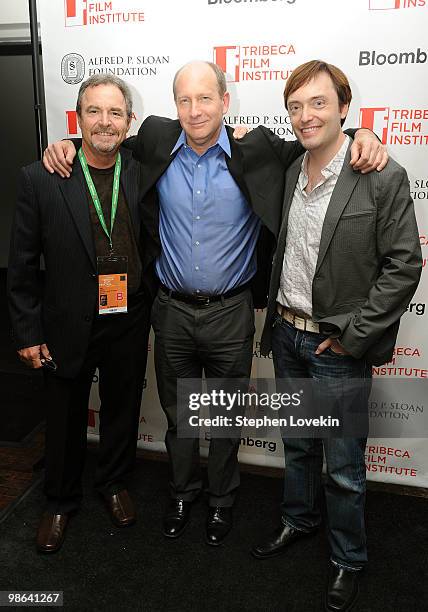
(379, 44)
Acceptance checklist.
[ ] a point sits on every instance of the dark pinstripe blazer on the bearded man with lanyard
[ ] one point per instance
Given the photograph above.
(52, 219)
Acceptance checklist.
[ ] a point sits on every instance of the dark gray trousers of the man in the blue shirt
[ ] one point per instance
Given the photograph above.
(190, 339)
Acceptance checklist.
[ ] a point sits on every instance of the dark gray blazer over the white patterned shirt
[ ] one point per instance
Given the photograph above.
(369, 260)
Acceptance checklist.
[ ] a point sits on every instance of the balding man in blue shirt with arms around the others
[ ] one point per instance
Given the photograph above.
(210, 217)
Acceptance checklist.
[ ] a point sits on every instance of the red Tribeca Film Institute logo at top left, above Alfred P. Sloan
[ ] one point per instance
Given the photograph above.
(84, 12)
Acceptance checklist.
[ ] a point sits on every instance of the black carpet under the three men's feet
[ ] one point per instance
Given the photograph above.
(104, 568)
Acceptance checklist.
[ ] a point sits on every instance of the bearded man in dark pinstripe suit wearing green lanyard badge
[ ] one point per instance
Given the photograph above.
(60, 322)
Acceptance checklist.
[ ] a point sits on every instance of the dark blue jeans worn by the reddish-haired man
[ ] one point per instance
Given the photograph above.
(294, 357)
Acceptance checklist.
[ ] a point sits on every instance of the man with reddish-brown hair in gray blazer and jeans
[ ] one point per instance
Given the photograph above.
(347, 264)
